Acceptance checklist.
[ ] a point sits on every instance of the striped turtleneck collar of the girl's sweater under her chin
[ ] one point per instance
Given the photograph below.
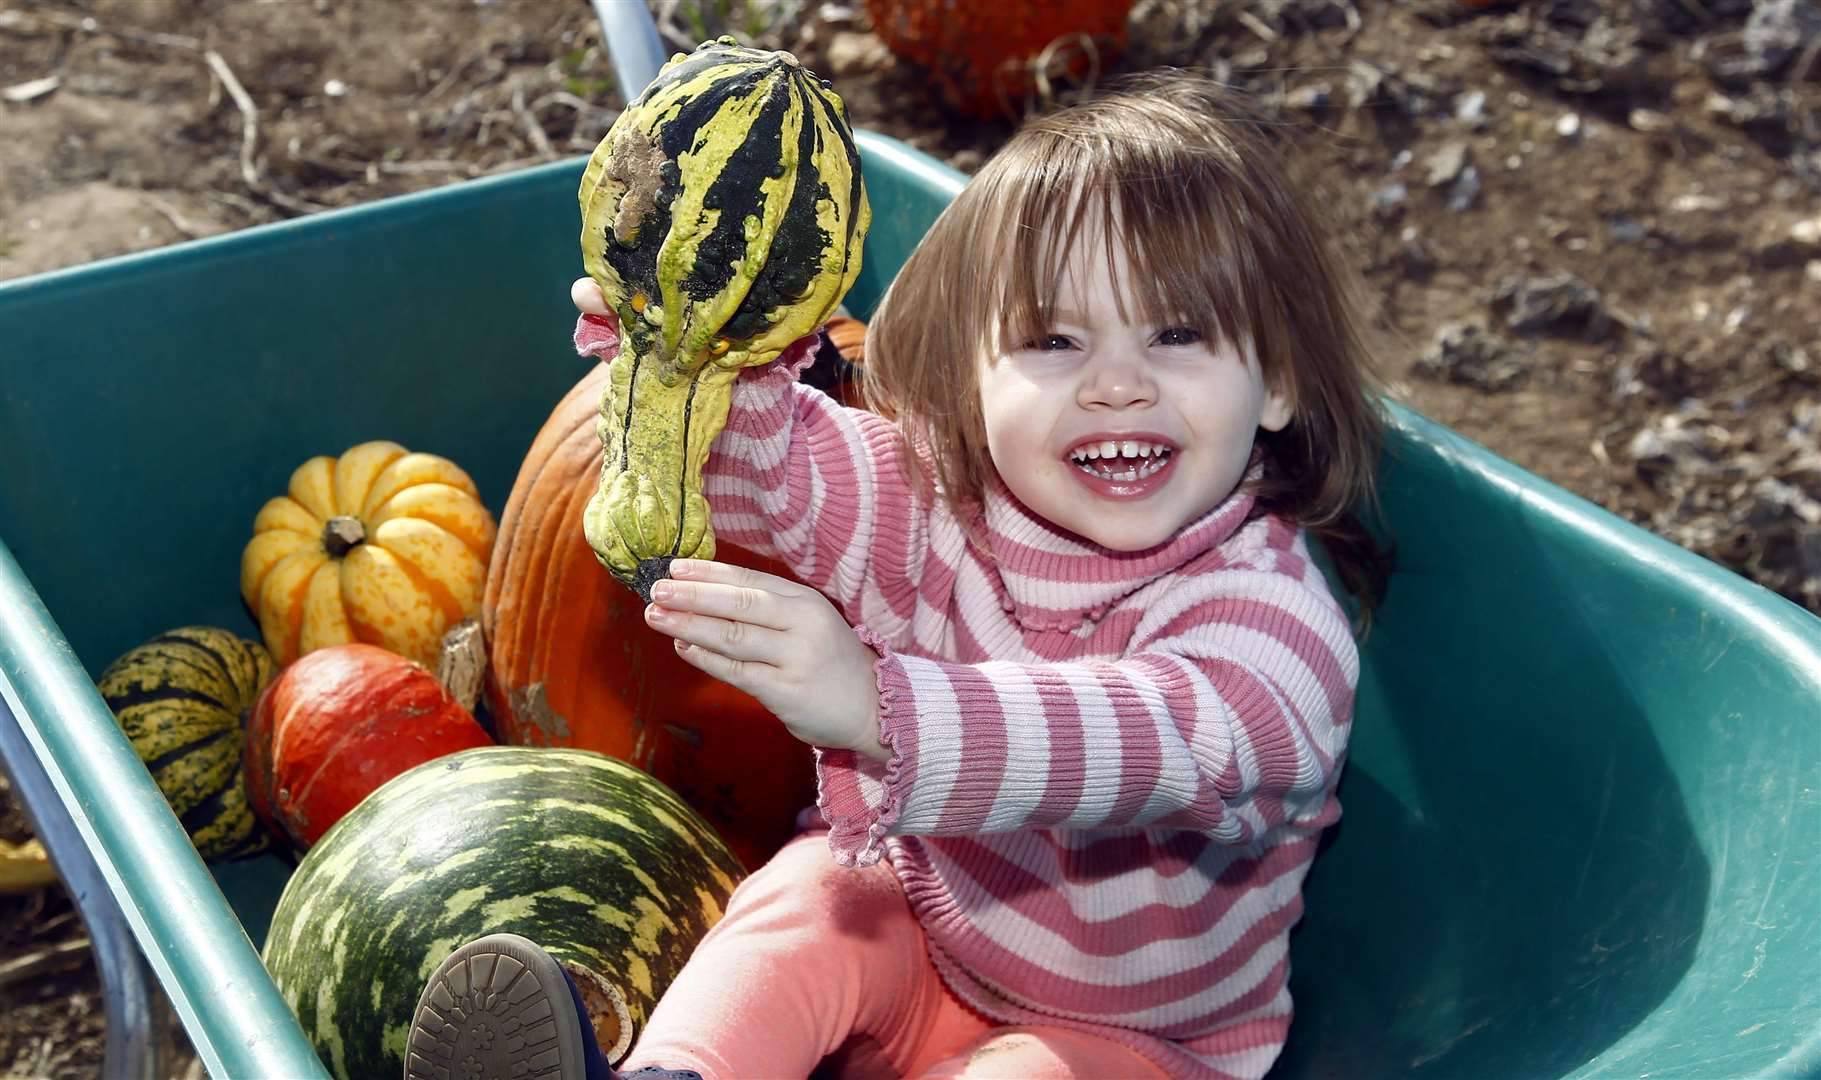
(1057, 580)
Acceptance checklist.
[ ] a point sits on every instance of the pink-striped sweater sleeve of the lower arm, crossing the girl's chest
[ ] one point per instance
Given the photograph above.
(1230, 717)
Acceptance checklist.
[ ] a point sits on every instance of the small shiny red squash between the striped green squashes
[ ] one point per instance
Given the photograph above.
(338, 724)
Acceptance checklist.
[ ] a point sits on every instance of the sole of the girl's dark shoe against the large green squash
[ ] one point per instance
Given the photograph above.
(500, 1006)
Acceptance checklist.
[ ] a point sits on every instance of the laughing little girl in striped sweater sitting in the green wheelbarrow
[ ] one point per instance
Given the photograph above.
(1081, 698)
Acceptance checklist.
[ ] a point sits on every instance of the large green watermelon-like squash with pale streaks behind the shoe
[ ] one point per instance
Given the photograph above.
(591, 859)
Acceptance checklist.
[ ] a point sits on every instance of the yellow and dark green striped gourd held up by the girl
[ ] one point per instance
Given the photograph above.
(724, 219)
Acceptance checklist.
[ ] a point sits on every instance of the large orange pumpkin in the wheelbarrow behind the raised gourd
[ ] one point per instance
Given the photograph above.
(573, 664)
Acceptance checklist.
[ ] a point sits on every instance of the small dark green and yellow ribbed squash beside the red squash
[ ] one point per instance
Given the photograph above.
(179, 700)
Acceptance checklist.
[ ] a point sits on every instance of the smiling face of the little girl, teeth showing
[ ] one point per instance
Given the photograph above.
(1114, 429)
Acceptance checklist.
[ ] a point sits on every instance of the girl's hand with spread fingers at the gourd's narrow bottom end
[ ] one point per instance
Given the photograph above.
(780, 642)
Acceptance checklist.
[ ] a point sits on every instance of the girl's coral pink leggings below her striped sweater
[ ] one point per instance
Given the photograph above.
(815, 961)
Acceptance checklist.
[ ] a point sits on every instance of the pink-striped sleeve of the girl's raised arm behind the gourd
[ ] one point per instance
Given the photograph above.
(815, 485)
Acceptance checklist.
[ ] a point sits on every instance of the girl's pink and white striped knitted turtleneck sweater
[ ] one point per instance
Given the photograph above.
(1110, 771)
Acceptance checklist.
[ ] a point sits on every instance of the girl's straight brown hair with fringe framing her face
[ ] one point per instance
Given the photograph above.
(1217, 239)
